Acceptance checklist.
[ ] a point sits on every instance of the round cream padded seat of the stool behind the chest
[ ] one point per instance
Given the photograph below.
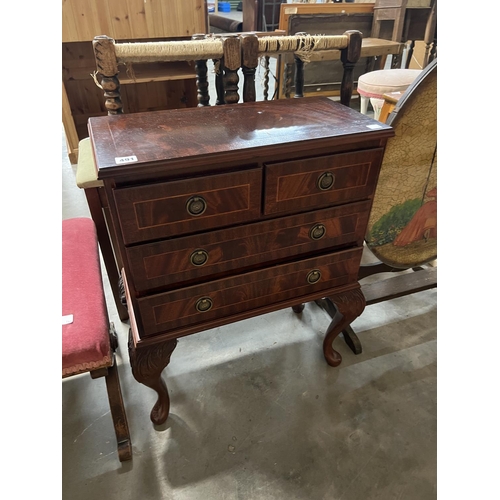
(377, 83)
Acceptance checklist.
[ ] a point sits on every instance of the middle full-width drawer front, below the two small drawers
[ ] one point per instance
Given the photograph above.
(160, 264)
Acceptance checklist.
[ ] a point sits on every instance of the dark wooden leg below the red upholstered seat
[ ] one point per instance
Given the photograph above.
(118, 414)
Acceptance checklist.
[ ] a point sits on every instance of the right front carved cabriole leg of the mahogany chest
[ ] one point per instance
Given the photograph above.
(349, 305)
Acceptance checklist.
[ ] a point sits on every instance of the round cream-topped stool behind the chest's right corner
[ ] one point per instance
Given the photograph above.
(373, 85)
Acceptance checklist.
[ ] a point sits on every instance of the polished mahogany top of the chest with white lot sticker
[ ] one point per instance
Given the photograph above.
(130, 141)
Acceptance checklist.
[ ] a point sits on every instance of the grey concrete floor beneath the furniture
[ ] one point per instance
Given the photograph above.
(256, 413)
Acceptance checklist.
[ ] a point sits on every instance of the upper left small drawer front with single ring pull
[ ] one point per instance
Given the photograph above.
(170, 208)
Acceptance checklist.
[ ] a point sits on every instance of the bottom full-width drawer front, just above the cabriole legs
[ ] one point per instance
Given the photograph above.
(222, 298)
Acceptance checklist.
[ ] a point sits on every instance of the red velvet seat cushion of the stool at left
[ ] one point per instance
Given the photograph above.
(85, 340)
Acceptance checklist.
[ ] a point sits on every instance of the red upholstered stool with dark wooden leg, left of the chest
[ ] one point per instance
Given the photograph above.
(88, 339)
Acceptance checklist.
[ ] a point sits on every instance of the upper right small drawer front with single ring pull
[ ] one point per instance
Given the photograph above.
(321, 181)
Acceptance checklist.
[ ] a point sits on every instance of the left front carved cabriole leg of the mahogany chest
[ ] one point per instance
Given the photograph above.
(147, 365)
